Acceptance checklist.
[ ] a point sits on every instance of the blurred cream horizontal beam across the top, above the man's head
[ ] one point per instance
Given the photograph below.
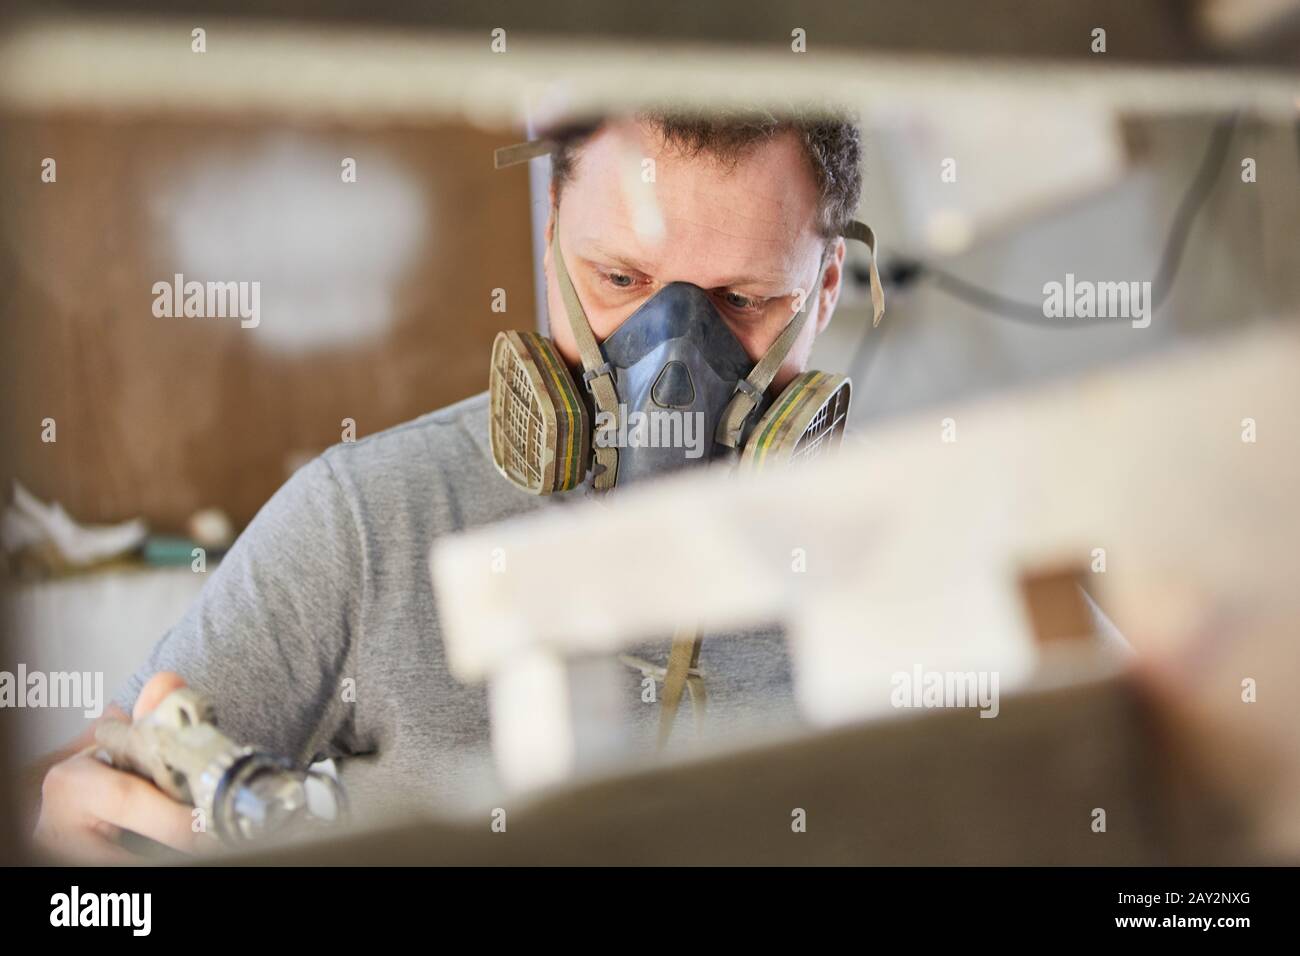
(596, 58)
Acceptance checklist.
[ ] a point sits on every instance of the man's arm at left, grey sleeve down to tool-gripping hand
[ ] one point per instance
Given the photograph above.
(268, 642)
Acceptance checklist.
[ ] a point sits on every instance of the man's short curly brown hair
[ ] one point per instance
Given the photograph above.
(831, 142)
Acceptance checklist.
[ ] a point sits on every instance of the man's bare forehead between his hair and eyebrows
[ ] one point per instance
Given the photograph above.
(631, 197)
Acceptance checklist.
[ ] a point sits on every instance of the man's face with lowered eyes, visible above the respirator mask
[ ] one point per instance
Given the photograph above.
(747, 235)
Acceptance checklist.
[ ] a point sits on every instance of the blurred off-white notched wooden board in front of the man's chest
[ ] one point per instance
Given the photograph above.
(1169, 487)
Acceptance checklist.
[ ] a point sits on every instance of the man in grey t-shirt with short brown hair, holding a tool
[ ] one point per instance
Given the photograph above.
(331, 585)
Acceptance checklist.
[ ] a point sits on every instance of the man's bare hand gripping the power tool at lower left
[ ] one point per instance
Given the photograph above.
(85, 804)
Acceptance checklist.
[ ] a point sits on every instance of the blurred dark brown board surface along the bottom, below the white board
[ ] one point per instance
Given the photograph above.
(944, 789)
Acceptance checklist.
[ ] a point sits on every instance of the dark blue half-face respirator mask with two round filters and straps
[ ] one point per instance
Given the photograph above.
(670, 388)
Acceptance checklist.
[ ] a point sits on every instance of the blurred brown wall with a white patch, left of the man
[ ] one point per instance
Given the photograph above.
(376, 297)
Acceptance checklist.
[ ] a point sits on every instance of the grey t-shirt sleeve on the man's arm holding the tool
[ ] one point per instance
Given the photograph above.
(272, 637)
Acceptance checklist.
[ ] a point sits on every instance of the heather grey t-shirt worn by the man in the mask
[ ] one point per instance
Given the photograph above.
(331, 585)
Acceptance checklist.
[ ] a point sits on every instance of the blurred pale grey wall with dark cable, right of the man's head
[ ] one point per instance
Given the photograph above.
(1160, 192)
